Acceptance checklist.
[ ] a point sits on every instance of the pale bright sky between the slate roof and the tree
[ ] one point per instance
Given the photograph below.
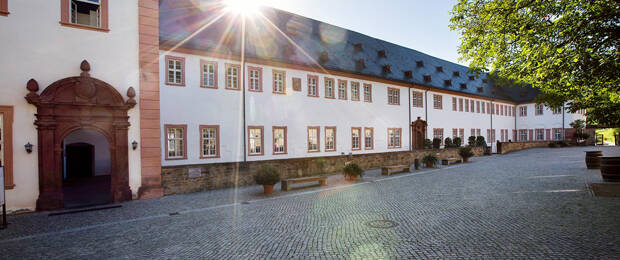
(421, 25)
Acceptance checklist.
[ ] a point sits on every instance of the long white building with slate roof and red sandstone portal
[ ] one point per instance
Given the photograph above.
(119, 91)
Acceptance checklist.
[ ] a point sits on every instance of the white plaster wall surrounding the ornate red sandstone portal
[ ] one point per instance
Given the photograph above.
(35, 45)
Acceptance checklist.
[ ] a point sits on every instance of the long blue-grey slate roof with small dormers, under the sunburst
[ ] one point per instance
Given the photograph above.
(334, 48)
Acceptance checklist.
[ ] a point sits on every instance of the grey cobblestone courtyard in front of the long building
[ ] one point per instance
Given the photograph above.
(527, 204)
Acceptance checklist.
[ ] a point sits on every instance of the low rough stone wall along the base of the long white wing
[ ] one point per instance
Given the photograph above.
(195, 178)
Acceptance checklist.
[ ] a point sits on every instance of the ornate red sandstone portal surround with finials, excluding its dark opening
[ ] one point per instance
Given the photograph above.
(73, 104)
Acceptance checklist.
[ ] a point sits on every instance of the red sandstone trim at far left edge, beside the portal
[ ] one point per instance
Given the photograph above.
(7, 161)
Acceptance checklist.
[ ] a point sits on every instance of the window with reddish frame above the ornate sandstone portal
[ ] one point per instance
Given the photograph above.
(86, 14)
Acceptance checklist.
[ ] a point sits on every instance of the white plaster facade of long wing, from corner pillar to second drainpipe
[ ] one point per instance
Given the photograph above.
(295, 110)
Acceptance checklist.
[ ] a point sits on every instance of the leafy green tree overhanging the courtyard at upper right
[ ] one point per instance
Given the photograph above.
(569, 49)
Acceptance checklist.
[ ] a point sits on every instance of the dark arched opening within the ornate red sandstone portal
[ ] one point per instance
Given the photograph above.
(86, 168)
